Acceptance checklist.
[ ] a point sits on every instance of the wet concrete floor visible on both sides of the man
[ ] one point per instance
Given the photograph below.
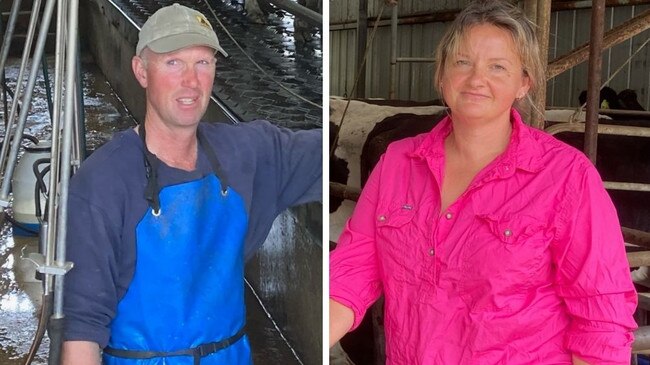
(20, 293)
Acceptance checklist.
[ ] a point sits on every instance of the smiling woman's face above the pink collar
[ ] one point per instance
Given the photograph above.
(482, 81)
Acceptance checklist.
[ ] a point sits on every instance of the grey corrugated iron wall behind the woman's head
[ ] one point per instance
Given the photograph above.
(568, 30)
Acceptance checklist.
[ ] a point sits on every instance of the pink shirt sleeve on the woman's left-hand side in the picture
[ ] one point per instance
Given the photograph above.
(354, 269)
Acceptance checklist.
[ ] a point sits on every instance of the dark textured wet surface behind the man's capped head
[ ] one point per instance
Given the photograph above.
(295, 62)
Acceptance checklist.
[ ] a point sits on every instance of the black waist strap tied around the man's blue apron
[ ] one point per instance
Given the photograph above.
(196, 352)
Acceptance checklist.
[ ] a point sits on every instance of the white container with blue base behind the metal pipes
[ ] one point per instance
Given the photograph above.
(24, 184)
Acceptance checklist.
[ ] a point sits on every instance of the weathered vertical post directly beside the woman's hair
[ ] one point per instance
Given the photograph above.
(543, 25)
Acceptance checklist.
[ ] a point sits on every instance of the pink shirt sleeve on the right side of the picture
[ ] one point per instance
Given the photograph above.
(593, 275)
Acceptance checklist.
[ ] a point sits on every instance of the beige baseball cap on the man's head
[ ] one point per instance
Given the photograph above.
(174, 27)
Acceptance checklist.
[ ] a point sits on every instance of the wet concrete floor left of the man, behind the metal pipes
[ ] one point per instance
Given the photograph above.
(20, 292)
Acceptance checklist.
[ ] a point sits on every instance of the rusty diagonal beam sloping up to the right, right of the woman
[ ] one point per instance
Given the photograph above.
(612, 37)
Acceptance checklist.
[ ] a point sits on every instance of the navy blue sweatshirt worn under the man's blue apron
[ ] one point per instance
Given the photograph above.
(271, 168)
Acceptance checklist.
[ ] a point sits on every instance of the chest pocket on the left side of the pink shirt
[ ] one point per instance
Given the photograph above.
(398, 241)
